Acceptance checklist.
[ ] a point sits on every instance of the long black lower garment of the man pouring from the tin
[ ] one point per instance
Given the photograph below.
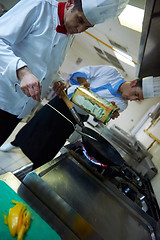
(44, 135)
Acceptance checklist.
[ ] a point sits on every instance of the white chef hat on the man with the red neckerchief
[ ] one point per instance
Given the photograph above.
(97, 11)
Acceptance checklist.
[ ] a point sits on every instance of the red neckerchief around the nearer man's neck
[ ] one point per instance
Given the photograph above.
(61, 28)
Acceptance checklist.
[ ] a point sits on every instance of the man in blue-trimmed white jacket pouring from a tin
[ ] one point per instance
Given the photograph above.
(44, 135)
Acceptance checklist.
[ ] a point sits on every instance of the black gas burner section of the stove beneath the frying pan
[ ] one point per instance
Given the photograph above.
(131, 183)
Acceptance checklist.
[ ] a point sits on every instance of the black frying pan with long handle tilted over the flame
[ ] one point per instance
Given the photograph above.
(96, 145)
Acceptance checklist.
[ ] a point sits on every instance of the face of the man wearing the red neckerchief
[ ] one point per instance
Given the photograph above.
(74, 20)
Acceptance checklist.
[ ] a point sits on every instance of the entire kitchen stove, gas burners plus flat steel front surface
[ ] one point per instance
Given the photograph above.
(94, 201)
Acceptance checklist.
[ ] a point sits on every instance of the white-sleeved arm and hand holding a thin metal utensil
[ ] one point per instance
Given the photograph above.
(12, 67)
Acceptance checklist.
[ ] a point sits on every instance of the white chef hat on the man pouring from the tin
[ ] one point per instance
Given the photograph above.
(151, 87)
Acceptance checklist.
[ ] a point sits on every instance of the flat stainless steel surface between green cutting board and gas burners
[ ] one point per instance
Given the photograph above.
(111, 214)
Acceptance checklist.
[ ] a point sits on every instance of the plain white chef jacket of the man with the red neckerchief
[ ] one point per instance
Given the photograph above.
(28, 36)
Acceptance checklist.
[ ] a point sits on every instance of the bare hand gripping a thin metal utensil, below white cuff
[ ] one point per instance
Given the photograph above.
(29, 84)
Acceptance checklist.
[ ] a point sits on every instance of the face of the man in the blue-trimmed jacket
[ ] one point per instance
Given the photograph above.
(132, 92)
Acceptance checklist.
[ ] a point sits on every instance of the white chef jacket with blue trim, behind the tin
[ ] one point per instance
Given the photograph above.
(104, 80)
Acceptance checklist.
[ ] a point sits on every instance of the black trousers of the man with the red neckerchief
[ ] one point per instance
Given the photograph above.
(8, 122)
